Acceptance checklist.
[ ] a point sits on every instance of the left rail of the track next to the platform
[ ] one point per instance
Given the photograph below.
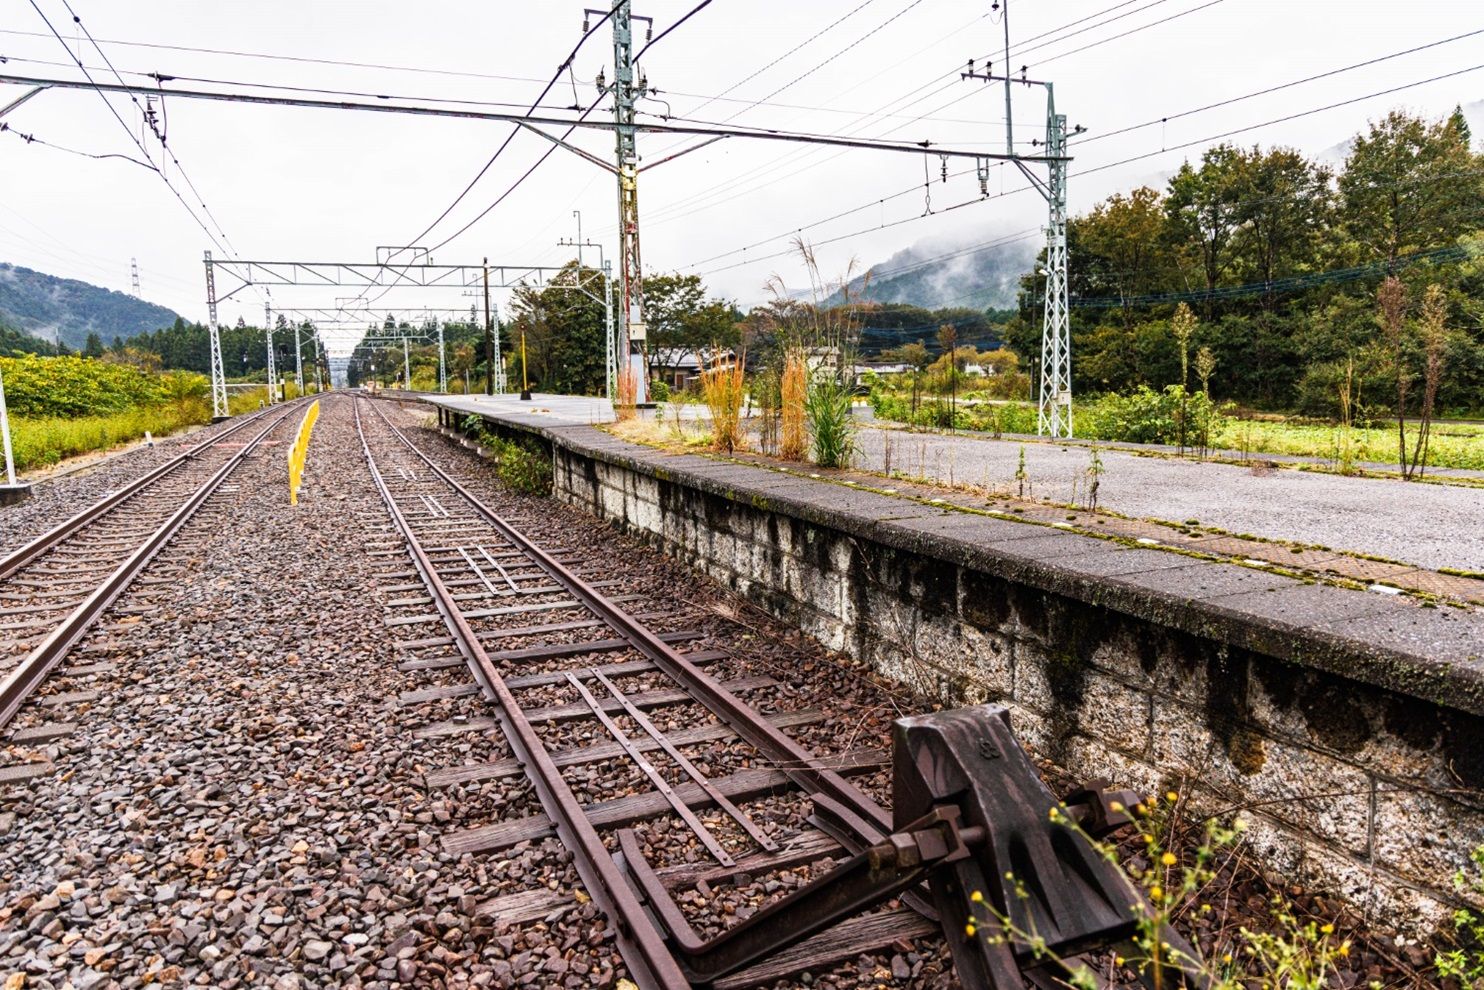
(652, 967)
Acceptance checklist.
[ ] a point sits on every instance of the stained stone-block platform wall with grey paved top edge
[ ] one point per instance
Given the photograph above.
(1357, 765)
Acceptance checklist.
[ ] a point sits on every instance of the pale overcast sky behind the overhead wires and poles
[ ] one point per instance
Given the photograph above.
(330, 186)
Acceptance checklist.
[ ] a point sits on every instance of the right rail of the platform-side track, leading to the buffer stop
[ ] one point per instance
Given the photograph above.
(870, 823)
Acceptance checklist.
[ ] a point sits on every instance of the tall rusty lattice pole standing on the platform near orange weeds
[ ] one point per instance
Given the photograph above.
(631, 275)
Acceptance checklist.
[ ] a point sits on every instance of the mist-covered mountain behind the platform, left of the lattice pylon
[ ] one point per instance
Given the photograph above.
(937, 275)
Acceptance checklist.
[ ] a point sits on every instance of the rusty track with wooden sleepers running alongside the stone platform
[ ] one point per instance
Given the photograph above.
(591, 701)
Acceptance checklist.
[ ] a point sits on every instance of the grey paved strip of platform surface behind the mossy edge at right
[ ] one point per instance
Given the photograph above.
(1430, 526)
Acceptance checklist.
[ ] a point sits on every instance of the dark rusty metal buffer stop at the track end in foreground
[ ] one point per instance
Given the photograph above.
(971, 819)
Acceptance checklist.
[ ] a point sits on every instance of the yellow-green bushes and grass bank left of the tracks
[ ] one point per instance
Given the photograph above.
(63, 407)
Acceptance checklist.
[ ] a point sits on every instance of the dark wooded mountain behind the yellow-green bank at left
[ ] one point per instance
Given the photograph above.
(66, 309)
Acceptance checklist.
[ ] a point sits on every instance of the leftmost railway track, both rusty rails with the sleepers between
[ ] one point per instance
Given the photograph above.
(56, 587)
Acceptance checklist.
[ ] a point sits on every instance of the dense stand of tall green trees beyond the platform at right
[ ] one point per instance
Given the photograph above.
(1281, 262)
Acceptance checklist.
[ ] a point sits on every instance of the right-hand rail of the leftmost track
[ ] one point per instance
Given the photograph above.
(23, 682)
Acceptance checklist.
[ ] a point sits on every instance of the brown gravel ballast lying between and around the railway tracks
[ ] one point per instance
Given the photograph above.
(247, 799)
